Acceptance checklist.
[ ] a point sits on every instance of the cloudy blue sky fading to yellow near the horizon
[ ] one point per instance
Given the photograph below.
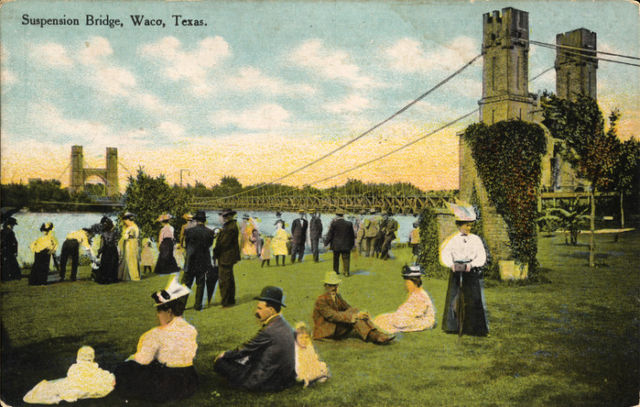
(266, 87)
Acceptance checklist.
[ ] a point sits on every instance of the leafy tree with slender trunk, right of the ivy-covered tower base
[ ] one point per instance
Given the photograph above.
(586, 145)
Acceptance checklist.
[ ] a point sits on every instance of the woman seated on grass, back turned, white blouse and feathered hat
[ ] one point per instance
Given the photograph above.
(162, 368)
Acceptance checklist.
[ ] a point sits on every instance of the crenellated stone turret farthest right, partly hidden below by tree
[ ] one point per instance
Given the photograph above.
(576, 69)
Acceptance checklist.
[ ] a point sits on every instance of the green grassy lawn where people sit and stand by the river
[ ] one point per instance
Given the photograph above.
(570, 341)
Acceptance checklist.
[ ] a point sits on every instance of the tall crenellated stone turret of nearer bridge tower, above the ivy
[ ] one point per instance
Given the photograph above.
(505, 72)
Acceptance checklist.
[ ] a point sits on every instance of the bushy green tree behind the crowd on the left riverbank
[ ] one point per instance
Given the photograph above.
(148, 197)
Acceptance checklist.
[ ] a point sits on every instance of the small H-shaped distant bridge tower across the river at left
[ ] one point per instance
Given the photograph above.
(79, 173)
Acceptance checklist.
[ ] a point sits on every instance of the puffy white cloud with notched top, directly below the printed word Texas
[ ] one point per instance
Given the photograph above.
(192, 66)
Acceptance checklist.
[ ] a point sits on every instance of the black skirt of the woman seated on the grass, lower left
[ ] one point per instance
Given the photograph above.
(155, 381)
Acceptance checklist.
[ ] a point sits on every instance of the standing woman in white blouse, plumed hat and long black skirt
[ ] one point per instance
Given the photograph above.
(464, 254)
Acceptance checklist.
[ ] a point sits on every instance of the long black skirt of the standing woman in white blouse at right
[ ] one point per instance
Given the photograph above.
(465, 304)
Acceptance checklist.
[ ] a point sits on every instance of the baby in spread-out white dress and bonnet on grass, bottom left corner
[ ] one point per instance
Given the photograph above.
(84, 380)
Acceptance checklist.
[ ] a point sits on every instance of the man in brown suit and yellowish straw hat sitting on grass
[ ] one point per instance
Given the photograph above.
(334, 318)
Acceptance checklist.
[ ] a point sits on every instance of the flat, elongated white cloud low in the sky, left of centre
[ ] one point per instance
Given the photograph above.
(265, 117)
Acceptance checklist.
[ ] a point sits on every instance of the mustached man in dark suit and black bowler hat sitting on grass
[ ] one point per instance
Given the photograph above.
(266, 362)
